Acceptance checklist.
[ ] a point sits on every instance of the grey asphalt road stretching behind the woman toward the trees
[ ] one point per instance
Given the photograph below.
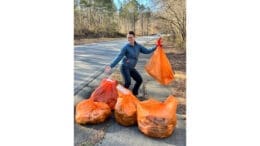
(90, 59)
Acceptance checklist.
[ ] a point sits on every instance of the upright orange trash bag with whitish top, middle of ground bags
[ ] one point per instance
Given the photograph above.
(125, 109)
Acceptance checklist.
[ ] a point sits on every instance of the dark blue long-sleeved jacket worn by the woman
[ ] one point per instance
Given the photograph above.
(130, 54)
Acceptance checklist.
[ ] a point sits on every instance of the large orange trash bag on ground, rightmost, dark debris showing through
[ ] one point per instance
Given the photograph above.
(157, 119)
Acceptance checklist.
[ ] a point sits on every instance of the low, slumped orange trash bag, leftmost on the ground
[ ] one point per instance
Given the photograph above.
(90, 112)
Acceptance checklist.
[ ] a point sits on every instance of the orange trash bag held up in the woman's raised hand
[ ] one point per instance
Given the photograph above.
(159, 66)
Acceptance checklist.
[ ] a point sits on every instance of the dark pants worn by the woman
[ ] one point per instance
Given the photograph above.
(127, 74)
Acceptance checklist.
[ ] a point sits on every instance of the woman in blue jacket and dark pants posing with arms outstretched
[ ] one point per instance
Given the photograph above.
(130, 53)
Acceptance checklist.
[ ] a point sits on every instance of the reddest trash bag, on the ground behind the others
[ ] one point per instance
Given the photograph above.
(106, 92)
